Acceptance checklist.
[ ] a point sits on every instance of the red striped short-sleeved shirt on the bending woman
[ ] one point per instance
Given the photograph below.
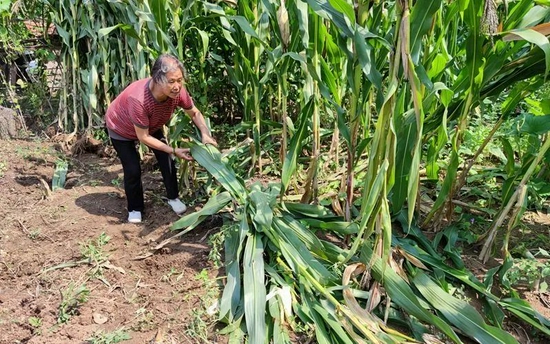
(137, 106)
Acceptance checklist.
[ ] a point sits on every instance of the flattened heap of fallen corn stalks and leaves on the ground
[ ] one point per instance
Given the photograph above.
(281, 277)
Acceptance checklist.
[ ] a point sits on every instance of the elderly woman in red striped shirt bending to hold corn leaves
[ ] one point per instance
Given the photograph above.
(139, 114)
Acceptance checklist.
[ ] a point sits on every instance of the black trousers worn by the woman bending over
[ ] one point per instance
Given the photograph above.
(129, 158)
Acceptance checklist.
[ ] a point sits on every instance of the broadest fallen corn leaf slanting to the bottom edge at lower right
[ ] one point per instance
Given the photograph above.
(459, 313)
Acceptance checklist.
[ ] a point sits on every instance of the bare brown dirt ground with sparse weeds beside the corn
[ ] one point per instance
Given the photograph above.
(107, 293)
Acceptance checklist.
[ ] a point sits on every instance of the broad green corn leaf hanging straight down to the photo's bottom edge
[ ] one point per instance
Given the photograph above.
(254, 289)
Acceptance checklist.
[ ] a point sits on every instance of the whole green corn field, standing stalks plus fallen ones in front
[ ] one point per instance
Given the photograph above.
(359, 112)
